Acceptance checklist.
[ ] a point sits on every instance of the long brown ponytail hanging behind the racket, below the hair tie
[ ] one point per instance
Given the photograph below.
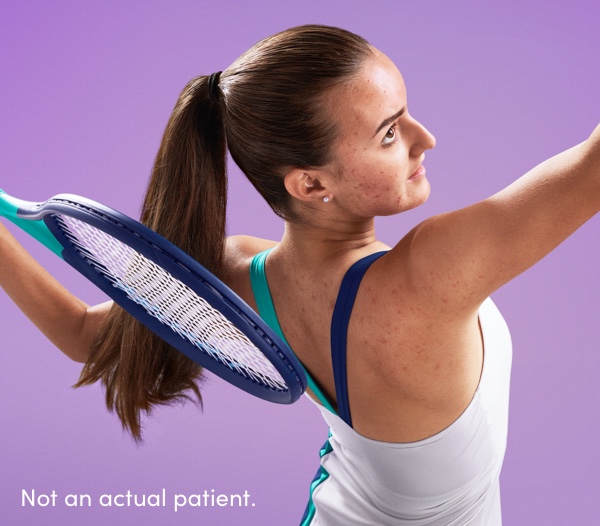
(186, 203)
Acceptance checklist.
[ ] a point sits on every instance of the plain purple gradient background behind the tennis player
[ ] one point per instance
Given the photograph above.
(85, 91)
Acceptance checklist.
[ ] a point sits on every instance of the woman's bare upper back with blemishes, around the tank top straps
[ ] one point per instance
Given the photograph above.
(410, 372)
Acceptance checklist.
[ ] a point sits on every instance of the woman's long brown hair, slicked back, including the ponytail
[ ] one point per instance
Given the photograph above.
(269, 113)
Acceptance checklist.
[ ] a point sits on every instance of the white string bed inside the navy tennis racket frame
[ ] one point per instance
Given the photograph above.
(171, 302)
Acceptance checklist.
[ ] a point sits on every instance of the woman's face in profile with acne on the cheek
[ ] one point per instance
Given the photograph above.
(377, 158)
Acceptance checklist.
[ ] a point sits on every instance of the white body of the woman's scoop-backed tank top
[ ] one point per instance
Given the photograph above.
(451, 478)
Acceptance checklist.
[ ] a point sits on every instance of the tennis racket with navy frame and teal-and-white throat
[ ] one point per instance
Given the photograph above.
(165, 289)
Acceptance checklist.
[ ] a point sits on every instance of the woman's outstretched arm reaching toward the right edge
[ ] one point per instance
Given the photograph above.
(462, 257)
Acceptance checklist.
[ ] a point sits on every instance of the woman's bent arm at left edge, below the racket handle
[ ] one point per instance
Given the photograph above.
(66, 321)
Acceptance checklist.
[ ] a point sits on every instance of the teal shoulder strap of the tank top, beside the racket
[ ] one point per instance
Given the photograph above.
(266, 310)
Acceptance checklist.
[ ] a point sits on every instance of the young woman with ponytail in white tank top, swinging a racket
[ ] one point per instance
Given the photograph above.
(409, 360)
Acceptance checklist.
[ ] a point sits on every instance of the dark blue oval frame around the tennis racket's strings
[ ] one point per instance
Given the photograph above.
(188, 271)
